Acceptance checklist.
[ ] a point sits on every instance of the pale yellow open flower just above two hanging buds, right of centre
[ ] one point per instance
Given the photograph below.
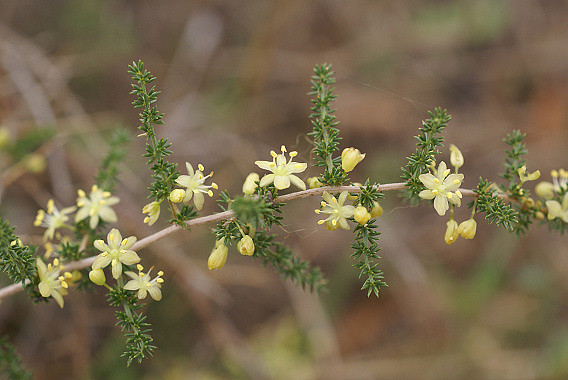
(441, 188)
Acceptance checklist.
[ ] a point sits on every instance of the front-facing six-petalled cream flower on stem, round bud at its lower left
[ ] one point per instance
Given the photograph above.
(116, 252)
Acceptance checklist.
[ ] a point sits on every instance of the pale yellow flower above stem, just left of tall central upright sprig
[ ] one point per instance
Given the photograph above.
(282, 170)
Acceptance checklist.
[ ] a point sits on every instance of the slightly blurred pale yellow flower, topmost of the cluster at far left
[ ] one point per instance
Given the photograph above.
(96, 206)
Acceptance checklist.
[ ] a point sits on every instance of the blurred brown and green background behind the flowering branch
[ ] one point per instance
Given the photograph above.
(234, 77)
